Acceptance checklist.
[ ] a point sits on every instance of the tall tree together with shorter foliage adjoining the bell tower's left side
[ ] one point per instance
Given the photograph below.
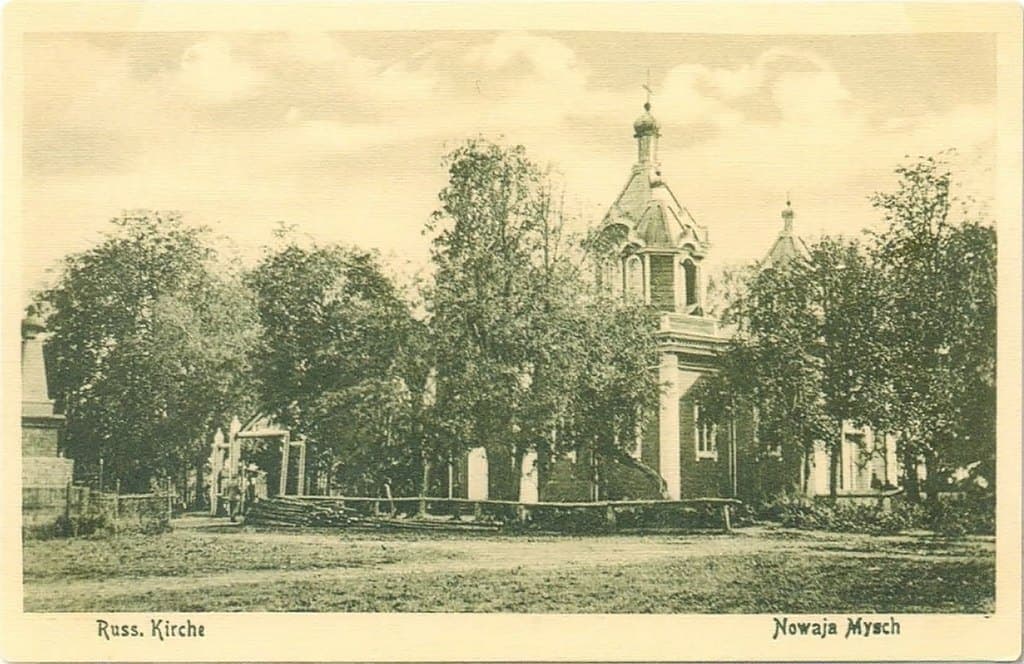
(526, 349)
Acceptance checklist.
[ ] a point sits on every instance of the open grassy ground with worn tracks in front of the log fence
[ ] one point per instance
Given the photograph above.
(204, 567)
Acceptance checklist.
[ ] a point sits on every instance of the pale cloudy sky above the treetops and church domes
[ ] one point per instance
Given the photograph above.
(343, 135)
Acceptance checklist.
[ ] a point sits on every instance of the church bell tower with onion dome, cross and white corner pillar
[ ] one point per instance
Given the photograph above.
(653, 251)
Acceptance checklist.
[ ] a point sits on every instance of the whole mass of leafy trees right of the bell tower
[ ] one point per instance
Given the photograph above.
(897, 331)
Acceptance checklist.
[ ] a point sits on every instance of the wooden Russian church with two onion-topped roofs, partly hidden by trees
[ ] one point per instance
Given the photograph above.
(657, 253)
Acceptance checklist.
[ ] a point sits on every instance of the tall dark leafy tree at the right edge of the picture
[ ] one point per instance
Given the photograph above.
(938, 260)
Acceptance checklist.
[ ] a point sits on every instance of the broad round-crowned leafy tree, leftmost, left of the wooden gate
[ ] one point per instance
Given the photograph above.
(150, 341)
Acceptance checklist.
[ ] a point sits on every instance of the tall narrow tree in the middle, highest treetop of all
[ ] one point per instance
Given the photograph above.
(490, 256)
